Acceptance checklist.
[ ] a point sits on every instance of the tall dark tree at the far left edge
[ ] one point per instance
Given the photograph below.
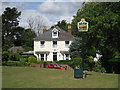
(10, 20)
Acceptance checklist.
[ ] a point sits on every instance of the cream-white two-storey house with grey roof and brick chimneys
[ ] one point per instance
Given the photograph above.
(53, 45)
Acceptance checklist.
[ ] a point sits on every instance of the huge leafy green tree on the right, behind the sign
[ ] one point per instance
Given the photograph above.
(103, 35)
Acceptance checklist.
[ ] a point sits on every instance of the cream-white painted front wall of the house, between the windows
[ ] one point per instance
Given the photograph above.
(49, 47)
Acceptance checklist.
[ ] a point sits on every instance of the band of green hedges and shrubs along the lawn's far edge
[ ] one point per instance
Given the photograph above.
(15, 59)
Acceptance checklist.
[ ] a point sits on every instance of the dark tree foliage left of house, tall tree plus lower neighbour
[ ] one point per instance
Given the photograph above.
(12, 34)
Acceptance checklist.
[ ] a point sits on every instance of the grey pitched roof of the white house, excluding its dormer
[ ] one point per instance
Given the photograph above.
(63, 35)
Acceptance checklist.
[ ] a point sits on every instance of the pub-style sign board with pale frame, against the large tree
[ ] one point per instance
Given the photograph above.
(82, 26)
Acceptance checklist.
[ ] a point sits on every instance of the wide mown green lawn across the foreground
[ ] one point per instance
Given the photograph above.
(33, 77)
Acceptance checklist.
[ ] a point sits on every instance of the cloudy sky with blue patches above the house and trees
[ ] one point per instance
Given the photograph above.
(51, 12)
